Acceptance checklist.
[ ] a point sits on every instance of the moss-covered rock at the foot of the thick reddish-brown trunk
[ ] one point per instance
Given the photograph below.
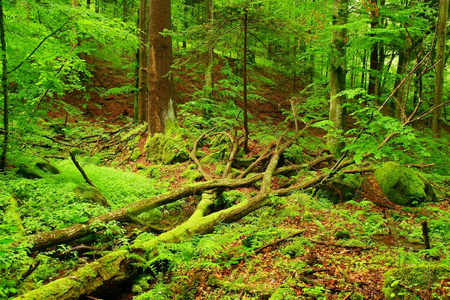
(164, 149)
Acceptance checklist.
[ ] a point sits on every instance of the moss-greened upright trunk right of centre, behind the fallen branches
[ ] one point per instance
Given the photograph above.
(338, 70)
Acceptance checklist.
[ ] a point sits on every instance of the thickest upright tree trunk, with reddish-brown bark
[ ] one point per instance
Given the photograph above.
(161, 106)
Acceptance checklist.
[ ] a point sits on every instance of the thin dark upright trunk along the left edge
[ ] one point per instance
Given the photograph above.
(4, 91)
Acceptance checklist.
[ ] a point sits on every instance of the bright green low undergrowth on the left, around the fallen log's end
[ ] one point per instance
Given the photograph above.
(30, 206)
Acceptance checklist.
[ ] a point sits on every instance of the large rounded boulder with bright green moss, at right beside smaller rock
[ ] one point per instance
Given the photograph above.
(404, 186)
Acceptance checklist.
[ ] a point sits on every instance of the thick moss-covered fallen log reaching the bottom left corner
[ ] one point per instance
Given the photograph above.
(118, 264)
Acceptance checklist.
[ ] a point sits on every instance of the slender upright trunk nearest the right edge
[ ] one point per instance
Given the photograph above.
(440, 59)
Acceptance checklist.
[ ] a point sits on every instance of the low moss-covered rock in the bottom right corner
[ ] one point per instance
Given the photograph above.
(400, 282)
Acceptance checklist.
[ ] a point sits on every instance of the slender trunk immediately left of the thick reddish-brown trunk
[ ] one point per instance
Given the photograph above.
(143, 61)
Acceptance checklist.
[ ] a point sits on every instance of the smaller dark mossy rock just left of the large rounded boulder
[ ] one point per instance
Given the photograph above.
(342, 188)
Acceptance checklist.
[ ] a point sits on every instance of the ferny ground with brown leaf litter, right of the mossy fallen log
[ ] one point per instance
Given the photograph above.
(338, 245)
